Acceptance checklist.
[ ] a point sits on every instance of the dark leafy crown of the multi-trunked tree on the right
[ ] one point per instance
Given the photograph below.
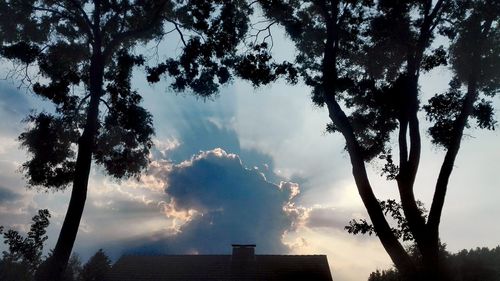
(377, 52)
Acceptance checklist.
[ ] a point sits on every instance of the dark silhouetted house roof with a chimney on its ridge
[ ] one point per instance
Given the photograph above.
(243, 264)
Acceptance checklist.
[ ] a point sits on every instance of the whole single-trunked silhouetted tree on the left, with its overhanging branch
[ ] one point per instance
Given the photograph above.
(83, 53)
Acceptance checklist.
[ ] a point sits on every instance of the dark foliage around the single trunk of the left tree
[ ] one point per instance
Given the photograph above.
(61, 38)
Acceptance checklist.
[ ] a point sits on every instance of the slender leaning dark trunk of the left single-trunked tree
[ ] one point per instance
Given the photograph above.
(56, 264)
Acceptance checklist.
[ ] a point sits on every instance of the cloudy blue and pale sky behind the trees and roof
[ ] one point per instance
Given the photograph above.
(250, 166)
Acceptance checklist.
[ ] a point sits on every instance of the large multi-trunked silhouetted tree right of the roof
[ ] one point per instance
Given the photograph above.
(363, 60)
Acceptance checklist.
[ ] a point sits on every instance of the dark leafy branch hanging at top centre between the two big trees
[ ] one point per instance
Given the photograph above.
(215, 28)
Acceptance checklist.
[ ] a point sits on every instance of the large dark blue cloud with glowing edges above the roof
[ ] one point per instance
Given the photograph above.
(226, 203)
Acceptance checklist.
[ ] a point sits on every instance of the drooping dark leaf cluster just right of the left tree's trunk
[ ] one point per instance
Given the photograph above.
(124, 139)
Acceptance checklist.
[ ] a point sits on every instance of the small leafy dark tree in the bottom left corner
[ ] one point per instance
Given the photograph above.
(24, 254)
